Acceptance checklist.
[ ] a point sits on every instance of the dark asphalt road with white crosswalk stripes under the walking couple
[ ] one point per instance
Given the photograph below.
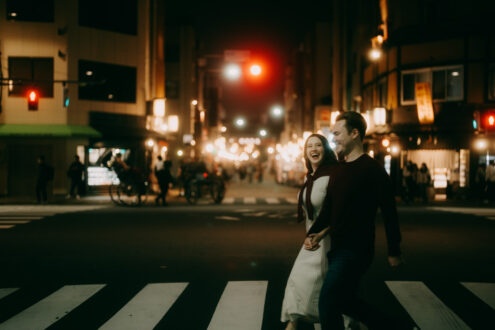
(208, 254)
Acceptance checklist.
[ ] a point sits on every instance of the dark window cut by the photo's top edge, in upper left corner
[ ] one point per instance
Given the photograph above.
(30, 10)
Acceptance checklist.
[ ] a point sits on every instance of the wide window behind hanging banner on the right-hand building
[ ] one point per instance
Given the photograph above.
(446, 83)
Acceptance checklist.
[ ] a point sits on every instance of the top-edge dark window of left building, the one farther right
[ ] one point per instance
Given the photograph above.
(113, 15)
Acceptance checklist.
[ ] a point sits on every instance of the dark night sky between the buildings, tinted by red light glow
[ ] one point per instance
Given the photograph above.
(269, 29)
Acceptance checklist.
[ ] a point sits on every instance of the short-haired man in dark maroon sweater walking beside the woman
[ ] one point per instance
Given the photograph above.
(358, 186)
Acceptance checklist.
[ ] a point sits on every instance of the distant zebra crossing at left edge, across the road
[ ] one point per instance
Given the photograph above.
(15, 215)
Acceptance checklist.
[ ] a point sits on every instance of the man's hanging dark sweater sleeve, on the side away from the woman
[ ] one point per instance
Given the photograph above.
(389, 214)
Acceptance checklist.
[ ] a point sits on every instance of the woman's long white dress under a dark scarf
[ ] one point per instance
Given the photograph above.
(306, 278)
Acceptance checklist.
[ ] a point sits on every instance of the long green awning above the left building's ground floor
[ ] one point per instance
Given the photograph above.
(59, 131)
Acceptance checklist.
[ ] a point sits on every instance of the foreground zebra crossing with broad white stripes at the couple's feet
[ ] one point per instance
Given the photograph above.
(241, 305)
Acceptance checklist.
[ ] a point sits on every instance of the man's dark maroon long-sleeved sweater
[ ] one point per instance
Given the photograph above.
(355, 191)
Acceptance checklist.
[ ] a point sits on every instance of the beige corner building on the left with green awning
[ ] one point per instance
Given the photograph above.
(98, 69)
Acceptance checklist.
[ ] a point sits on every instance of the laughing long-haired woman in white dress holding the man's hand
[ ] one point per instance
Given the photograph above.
(300, 302)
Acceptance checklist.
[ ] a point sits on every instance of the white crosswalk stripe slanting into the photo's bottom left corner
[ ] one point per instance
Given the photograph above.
(49, 310)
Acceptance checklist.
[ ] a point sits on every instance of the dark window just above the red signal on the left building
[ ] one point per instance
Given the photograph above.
(29, 72)
